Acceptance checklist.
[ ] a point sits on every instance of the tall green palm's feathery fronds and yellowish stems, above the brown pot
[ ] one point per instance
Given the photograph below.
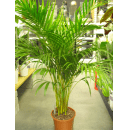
(57, 50)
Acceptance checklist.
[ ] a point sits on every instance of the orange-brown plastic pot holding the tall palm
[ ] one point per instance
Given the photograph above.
(64, 124)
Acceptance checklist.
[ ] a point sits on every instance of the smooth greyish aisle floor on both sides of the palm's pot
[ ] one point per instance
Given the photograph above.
(34, 113)
